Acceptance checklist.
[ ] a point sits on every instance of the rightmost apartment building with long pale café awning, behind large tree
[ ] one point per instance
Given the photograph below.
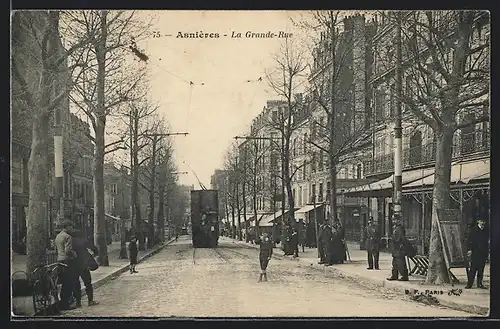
(471, 145)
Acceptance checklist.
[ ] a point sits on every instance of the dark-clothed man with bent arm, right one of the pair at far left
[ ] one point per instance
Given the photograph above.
(85, 263)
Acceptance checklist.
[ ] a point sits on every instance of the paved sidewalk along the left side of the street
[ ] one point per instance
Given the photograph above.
(24, 305)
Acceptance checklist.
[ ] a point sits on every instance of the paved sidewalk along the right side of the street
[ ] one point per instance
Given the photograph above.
(472, 301)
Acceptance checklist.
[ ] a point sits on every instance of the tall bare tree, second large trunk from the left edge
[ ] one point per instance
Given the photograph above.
(104, 87)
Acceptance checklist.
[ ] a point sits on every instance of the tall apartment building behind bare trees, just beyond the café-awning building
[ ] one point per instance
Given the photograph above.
(351, 121)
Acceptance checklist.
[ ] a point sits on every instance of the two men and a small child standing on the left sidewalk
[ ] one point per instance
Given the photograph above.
(73, 251)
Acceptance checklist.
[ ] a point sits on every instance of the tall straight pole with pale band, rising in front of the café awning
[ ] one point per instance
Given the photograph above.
(398, 124)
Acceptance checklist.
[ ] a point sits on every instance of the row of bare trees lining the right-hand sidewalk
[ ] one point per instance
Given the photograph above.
(446, 70)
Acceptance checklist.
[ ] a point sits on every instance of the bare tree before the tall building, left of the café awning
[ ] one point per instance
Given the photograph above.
(338, 91)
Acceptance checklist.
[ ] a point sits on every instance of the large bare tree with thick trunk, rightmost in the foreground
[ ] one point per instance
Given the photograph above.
(447, 67)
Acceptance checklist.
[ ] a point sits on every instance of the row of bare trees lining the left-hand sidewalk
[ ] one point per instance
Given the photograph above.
(85, 57)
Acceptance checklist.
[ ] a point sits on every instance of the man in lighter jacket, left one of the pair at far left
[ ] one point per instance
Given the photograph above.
(67, 256)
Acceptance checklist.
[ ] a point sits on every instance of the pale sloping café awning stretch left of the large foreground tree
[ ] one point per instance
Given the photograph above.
(387, 183)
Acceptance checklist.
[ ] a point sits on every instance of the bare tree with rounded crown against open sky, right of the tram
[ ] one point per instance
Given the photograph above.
(291, 65)
